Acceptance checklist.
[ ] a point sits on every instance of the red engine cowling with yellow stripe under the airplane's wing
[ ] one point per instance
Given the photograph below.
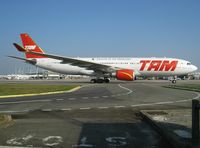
(125, 74)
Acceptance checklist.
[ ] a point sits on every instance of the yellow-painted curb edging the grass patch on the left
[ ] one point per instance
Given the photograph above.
(40, 94)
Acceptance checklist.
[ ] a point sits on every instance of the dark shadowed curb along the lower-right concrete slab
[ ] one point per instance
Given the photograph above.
(165, 134)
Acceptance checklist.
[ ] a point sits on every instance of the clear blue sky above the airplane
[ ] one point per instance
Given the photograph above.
(127, 28)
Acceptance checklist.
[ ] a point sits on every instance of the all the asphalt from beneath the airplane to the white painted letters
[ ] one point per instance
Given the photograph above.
(97, 115)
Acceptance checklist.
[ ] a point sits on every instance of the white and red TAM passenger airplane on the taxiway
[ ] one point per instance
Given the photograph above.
(102, 68)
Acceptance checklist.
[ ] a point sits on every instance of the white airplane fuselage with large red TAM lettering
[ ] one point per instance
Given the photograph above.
(141, 66)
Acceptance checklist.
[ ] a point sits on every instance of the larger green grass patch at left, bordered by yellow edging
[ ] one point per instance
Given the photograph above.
(17, 89)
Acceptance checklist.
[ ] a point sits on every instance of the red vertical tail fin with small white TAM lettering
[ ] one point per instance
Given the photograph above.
(29, 44)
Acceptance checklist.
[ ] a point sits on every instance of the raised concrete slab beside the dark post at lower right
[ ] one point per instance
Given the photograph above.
(174, 125)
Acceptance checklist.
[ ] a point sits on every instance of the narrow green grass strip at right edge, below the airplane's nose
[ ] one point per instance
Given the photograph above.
(189, 87)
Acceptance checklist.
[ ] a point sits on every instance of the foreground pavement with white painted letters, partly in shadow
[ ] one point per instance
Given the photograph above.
(98, 128)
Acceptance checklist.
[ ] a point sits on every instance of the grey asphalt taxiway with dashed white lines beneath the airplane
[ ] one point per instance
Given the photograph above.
(138, 94)
